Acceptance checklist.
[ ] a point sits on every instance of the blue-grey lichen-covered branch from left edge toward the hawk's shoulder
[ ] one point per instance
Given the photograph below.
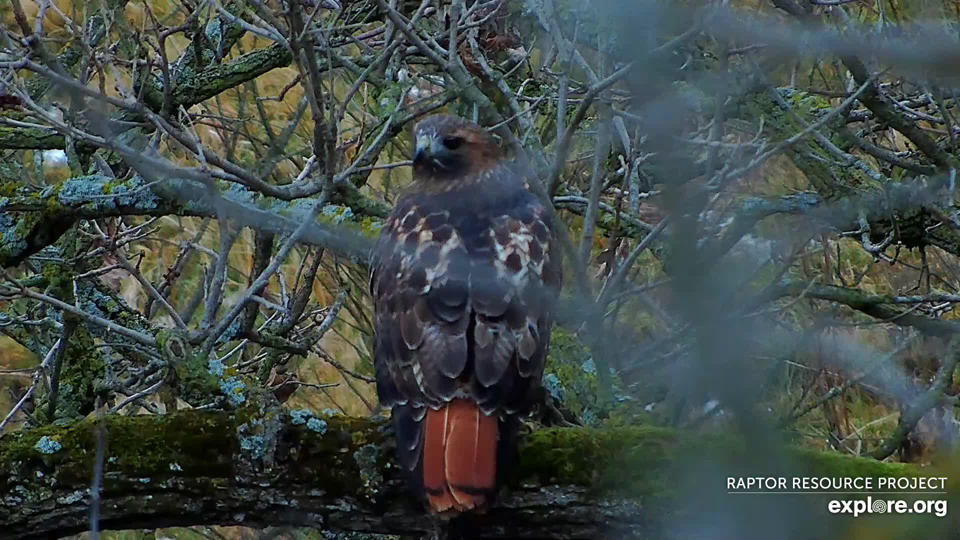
(31, 220)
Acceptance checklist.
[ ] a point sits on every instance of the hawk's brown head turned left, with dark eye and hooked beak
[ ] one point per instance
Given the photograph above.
(448, 147)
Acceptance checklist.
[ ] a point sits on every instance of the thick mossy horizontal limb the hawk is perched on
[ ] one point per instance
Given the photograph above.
(270, 468)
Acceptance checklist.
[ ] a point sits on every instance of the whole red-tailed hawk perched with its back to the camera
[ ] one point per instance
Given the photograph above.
(462, 279)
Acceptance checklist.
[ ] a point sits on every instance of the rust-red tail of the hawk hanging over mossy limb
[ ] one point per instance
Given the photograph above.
(459, 457)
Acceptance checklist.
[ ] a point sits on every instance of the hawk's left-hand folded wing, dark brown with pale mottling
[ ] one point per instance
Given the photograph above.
(417, 306)
